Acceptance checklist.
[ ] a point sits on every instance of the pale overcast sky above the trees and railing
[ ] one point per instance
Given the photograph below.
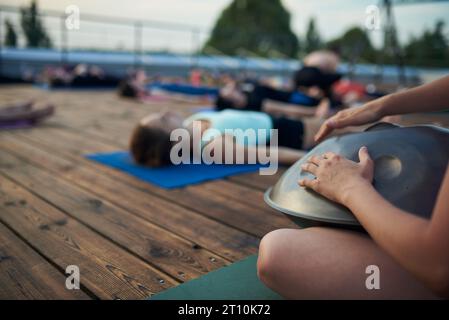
(333, 17)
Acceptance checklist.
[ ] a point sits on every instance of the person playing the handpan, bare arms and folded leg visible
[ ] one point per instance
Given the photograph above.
(411, 253)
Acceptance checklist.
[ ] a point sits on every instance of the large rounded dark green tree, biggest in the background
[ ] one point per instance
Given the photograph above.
(254, 27)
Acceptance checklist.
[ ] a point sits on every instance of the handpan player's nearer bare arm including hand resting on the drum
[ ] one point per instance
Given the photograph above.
(419, 245)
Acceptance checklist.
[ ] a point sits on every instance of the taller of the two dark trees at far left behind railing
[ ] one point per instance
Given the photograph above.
(33, 28)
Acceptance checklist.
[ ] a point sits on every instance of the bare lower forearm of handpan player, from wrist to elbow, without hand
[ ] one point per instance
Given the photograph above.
(419, 245)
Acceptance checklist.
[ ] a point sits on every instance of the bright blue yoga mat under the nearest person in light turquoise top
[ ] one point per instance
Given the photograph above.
(171, 176)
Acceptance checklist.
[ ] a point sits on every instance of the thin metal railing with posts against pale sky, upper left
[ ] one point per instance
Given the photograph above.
(104, 33)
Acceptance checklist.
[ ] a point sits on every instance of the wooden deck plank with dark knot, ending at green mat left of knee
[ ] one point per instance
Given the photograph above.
(174, 255)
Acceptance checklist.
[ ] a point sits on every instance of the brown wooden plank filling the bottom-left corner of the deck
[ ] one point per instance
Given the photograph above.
(24, 274)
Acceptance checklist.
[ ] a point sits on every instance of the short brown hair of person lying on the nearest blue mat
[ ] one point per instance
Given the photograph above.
(150, 146)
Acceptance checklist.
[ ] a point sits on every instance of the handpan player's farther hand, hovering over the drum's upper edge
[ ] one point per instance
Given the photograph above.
(368, 113)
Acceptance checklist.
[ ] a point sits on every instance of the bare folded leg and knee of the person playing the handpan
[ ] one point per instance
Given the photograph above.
(324, 263)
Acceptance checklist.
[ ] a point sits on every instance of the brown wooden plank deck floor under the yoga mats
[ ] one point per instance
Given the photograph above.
(130, 239)
